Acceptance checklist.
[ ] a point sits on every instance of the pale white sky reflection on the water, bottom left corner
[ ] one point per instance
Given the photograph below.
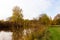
(5, 35)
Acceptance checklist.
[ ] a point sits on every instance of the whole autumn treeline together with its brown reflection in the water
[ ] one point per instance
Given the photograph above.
(25, 29)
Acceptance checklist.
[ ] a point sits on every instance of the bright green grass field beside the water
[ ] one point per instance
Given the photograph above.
(54, 33)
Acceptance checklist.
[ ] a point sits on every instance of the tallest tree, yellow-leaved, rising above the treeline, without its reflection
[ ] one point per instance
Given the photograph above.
(17, 14)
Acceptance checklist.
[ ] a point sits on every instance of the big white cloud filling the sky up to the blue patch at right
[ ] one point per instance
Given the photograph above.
(31, 8)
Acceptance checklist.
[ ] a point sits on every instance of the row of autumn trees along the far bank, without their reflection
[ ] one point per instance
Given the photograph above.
(17, 17)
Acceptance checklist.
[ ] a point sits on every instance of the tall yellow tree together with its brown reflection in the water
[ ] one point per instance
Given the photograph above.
(17, 19)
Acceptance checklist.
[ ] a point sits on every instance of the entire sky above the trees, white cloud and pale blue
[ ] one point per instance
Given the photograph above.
(31, 8)
